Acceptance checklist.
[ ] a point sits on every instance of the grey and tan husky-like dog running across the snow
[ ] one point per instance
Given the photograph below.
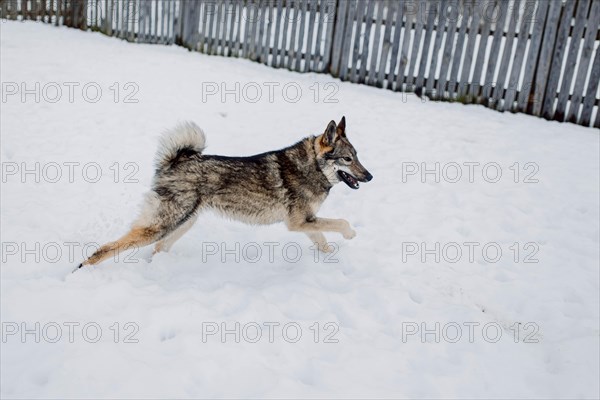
(287, 185)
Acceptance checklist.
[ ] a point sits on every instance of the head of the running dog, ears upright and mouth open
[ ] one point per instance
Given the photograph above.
(337, 157)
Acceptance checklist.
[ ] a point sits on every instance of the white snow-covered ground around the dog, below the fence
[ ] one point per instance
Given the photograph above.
(381, 318)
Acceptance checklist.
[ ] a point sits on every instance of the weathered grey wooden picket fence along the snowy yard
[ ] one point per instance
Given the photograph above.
(539, 57)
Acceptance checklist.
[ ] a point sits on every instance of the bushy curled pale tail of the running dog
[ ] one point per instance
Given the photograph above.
(184, 140)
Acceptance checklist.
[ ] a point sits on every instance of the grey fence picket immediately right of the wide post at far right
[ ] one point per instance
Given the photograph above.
(570, 66)
